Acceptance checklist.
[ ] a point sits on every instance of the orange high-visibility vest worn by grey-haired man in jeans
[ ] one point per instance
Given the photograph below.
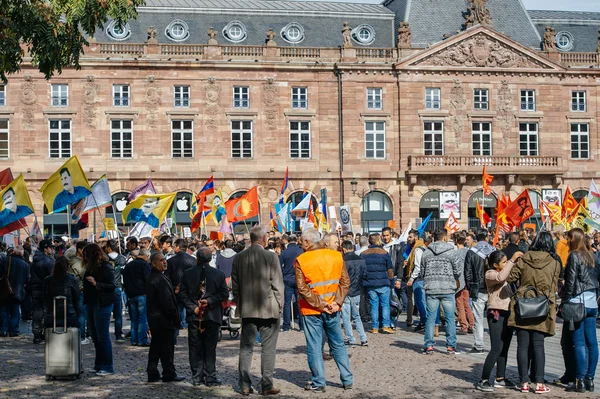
(322, 269)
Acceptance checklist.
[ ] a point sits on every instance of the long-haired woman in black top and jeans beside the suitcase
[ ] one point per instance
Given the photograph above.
(99, 297)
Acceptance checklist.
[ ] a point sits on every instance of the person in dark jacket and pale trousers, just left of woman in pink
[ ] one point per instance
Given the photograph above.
(475, 280)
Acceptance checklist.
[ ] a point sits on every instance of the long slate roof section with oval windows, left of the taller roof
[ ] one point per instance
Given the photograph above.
(322, 21)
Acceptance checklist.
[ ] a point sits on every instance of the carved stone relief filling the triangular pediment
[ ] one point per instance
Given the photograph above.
(480, 51)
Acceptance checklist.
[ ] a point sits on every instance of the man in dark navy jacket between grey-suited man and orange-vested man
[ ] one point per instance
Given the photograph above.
(287, 259)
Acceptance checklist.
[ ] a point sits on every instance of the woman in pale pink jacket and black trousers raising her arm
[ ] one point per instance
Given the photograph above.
(499, 294)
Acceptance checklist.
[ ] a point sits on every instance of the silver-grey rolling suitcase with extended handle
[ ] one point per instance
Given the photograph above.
(62, 348)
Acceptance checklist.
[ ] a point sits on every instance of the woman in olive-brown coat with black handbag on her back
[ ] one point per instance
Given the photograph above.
(533, 307)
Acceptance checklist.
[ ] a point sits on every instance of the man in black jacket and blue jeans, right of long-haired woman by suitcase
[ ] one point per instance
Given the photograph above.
(134, 282)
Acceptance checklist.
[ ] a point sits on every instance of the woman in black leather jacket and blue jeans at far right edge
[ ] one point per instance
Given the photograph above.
(580, 309)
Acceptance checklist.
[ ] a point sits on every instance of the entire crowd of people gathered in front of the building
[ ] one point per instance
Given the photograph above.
(327, 285)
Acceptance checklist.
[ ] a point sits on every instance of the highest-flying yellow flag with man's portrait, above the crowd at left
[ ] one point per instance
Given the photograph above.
(66, 186)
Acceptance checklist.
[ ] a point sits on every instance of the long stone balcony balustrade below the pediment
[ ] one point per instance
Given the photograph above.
(450, 164)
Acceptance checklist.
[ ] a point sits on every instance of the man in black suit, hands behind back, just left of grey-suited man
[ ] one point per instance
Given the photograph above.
(204, 316)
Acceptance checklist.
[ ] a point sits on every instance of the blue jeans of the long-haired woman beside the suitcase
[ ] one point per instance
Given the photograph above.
(99, 323)
